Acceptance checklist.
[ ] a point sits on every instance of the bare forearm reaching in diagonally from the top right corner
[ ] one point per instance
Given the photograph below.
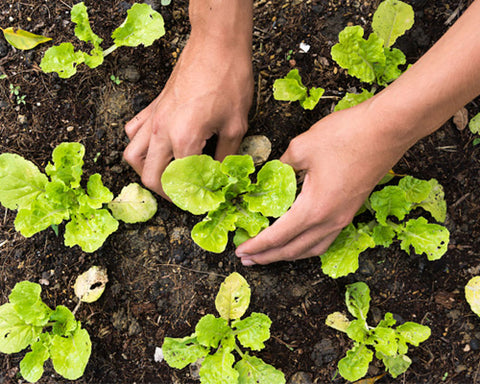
(446, 78)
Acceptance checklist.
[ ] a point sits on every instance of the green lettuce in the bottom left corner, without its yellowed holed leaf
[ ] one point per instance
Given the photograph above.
(27, 321)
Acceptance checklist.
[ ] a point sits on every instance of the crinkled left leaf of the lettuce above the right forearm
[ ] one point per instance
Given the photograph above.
(358, 55)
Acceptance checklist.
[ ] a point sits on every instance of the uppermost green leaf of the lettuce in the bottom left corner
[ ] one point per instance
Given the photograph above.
(25, 297)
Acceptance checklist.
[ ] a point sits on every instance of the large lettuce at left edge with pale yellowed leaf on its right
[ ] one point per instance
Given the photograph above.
(47, 200)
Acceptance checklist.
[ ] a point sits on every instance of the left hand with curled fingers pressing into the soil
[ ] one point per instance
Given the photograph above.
(209, 92)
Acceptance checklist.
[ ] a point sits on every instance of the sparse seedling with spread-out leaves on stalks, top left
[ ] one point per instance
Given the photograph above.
(143, 25)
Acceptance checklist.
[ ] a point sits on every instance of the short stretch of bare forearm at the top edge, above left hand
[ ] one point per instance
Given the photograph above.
(225, 22)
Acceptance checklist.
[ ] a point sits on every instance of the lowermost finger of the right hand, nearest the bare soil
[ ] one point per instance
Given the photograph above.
(311, 243)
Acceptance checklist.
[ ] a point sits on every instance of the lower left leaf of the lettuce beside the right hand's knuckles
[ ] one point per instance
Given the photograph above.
(341, 258)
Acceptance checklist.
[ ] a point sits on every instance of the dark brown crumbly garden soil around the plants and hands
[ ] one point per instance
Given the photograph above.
(160, 283)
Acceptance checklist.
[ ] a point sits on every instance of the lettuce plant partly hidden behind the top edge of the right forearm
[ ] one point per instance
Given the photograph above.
(373, 60)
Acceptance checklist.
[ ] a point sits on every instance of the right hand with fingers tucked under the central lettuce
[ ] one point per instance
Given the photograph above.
(344, 158)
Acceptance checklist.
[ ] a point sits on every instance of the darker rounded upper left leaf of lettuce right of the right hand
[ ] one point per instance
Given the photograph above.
(390, 201)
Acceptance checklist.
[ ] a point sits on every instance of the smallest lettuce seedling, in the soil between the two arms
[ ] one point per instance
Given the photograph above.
(291, 88)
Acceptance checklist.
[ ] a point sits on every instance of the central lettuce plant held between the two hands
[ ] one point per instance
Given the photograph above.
(199, 184)
